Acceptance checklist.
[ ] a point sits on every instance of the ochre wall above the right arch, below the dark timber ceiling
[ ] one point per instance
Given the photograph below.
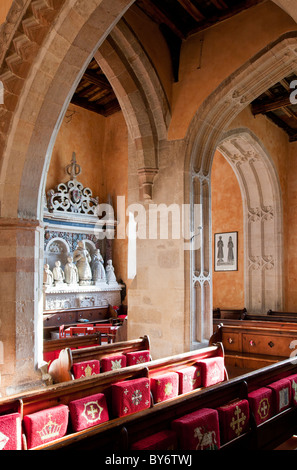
(197, 81)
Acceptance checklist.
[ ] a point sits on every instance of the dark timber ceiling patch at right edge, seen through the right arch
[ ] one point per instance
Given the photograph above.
(276, 104)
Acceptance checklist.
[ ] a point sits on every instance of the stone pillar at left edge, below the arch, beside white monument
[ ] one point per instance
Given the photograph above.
(21, 334)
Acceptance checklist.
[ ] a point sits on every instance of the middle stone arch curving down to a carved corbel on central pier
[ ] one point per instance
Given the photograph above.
(140, 93)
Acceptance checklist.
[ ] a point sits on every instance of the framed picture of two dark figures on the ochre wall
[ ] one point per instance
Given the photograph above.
(226, 251)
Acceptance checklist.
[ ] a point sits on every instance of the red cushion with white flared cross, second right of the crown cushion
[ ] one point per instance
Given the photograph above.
(130, 396)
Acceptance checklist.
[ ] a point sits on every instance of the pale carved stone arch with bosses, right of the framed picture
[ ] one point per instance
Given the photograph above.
(263, 221)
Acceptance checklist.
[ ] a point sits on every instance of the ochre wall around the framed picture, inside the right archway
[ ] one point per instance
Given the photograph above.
(227, 216)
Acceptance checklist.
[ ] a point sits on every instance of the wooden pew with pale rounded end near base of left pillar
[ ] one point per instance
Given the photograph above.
(61, 369)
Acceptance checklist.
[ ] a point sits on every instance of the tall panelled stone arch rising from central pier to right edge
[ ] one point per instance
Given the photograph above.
(205, 133)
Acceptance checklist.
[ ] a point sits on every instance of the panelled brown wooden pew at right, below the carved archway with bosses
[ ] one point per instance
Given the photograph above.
(252, 344)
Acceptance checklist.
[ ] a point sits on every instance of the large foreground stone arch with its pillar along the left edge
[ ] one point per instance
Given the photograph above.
(40, 70)
